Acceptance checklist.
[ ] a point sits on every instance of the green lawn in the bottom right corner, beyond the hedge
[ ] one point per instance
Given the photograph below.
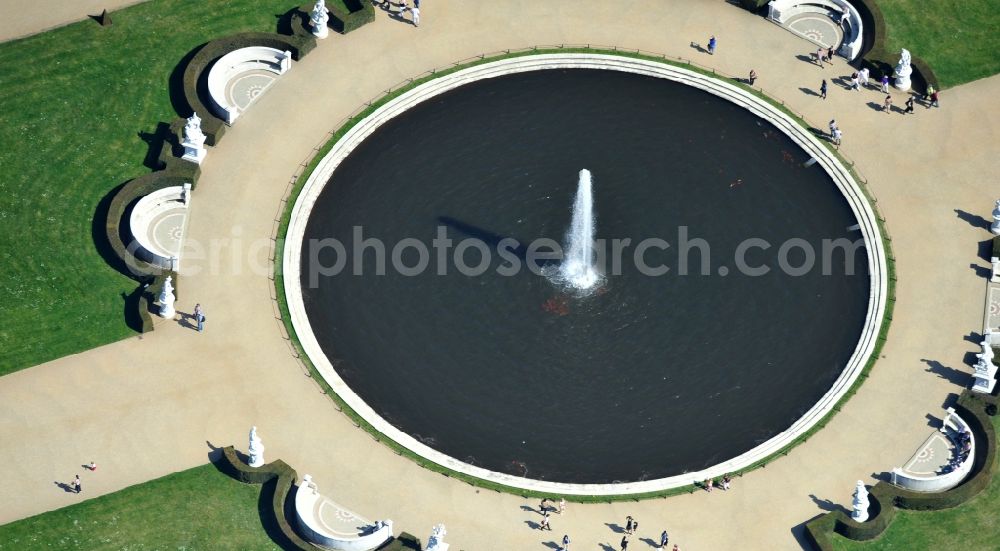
(973, 525)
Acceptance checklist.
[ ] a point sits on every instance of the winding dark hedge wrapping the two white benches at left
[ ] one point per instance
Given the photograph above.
(172, 170)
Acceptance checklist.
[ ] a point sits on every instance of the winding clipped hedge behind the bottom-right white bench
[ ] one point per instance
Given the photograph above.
(886, 498)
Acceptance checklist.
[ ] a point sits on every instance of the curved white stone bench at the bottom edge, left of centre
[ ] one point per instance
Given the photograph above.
(356, 534)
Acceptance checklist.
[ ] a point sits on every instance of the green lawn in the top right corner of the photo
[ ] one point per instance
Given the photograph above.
(957, 38)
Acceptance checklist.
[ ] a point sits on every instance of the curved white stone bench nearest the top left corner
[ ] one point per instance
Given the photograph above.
(237, 62)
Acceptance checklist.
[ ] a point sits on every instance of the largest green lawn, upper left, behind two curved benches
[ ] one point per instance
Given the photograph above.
(72, 106)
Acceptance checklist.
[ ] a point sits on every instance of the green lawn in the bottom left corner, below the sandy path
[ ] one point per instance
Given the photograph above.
(200, 508)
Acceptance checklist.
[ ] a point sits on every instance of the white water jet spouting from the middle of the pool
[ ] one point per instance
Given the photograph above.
(578, 269)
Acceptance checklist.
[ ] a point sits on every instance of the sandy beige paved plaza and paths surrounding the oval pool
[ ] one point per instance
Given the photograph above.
(160, 402)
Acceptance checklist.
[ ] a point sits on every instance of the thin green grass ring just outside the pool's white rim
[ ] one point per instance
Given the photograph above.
(476, 482)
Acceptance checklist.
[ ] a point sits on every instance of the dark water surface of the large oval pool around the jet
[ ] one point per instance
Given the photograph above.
(649, 376)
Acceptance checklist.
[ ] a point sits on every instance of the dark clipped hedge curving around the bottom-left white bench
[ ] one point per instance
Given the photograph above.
(284, 477)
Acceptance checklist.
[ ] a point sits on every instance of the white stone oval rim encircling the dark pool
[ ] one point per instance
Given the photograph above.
(852, 192)
